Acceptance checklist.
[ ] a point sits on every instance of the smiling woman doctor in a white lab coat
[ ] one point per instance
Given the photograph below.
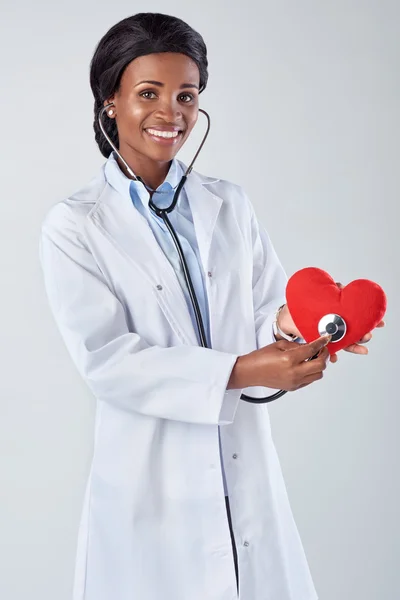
(185, 499)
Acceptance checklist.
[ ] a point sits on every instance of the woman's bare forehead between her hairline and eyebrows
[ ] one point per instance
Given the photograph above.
(168, 67)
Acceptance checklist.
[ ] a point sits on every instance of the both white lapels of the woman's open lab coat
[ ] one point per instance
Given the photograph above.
(118, 220)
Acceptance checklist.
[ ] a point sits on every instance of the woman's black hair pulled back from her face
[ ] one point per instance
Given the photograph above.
(141, 34)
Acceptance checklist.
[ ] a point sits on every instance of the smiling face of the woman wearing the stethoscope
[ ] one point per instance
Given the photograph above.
(157, 92)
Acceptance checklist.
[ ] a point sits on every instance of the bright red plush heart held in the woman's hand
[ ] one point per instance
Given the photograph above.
(312, 293)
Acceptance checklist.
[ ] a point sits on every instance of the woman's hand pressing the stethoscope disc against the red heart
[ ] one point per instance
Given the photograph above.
(282, 365)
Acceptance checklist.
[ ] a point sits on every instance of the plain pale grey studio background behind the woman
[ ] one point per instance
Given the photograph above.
(304, 100)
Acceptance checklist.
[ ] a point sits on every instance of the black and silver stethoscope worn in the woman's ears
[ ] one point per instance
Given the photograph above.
(331, 324)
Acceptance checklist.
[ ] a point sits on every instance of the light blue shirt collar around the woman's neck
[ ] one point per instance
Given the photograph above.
(124, 185)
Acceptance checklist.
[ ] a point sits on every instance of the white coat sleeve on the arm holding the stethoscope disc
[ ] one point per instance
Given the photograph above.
(184, 383)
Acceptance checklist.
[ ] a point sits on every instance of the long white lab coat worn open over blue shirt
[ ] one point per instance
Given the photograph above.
(154, 523)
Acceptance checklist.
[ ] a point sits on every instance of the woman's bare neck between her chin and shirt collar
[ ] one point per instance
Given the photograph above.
(152, 172)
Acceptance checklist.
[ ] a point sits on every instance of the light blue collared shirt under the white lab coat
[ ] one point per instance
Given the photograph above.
(182, 221)
